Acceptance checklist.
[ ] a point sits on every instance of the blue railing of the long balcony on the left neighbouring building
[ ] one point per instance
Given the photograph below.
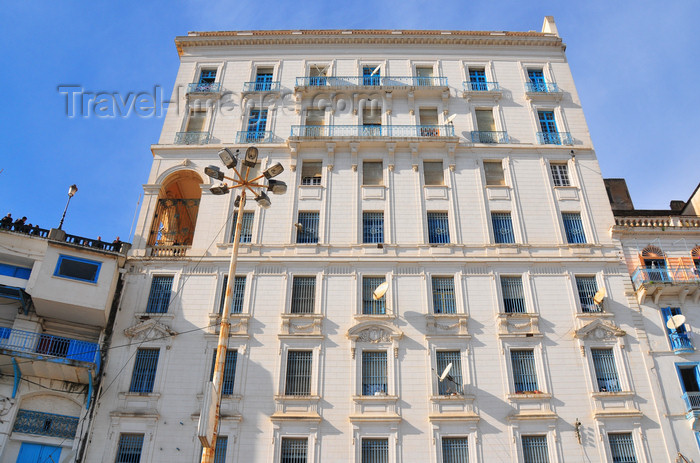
(48, 347)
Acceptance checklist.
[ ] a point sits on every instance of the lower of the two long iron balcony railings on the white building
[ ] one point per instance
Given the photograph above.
(373, 131)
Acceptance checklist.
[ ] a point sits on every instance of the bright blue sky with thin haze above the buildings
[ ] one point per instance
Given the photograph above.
(635, 63)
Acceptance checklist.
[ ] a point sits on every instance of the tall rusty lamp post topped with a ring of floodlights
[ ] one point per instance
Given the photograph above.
(209, 416)
